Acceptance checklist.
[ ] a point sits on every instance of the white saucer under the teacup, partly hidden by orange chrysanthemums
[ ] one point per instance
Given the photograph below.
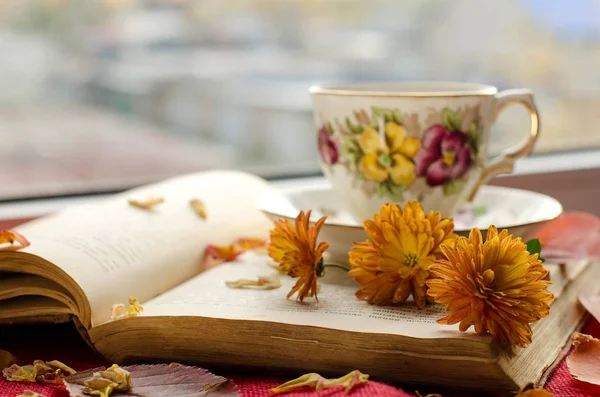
(519, 211)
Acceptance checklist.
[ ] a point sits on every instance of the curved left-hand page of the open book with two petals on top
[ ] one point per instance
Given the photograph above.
(114, 250)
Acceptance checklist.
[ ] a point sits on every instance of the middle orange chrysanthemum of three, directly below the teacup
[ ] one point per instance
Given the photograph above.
(394, 262)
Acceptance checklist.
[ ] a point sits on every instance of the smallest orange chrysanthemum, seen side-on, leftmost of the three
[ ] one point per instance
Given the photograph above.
(295, 248)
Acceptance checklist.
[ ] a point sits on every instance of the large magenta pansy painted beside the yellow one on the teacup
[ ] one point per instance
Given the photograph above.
(444, 155)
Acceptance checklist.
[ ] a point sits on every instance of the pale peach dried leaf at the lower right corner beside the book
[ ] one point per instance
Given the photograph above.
(584, 363)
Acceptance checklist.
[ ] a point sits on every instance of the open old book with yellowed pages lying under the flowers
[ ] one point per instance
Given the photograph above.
(85, 259)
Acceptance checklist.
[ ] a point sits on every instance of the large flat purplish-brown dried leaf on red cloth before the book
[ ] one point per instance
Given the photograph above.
(174, 380)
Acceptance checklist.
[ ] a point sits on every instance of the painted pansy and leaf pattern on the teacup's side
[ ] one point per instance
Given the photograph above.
(387, 152)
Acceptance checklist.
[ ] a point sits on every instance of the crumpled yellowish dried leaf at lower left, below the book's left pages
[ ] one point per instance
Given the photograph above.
(39, 371)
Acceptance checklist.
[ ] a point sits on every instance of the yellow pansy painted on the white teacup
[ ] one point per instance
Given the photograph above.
(390, 156)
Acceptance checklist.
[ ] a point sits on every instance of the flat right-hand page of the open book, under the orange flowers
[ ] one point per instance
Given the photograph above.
(207, 295)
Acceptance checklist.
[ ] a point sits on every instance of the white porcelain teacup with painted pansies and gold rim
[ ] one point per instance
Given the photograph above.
(425, 141)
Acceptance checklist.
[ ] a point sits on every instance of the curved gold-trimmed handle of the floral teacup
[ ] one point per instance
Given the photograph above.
(504, 163)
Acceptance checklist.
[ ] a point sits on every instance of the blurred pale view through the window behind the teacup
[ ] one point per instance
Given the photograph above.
(101, 95)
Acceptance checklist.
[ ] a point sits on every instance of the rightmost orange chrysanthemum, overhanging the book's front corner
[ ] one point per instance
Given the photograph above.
(496, 286)
